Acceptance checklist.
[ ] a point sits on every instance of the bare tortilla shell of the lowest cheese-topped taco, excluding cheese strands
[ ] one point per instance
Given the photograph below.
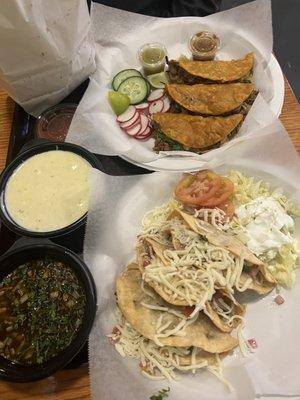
(202, 333)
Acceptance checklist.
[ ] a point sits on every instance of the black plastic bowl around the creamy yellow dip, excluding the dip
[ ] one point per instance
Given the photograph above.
(17, 162)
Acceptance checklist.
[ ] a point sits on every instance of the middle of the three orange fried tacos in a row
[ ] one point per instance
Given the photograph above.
(215, 99)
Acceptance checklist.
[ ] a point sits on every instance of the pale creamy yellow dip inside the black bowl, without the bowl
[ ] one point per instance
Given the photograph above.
(49, 191)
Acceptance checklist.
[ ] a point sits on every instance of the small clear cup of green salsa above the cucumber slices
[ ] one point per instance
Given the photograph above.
(152, 57)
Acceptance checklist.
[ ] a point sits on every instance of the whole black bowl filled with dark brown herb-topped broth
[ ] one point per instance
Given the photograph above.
(47, 309)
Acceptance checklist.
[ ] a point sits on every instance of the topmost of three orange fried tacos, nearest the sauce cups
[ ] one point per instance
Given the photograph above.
(192, 72)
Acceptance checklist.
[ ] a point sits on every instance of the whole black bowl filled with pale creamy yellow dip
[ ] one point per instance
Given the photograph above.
(44, 191)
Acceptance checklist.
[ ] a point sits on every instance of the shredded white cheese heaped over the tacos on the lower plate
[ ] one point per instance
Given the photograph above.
(195, 267)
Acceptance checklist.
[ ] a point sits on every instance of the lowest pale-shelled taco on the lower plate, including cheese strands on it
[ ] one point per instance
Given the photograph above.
(157, 320)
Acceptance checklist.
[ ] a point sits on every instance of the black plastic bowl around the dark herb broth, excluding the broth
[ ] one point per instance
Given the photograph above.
(15, 372)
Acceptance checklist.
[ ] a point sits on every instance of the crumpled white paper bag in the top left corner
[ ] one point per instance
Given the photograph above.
(47, 50)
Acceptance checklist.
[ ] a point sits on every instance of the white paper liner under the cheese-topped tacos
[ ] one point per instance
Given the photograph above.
(118, 204)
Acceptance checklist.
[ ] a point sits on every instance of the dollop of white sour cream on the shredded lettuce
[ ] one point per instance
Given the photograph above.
(267, 225)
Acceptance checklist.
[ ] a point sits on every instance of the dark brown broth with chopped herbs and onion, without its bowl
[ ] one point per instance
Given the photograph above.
(42, 306)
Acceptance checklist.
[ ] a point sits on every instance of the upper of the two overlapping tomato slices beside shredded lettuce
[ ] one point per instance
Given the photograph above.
(195, 190)
